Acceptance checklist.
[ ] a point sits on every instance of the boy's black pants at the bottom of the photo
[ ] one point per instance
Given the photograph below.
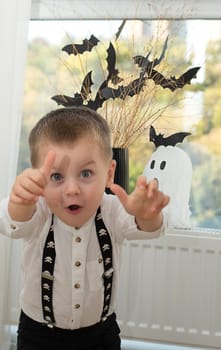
(33, 335)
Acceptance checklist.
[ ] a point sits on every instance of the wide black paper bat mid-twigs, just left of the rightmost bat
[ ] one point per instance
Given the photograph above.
(122, 92)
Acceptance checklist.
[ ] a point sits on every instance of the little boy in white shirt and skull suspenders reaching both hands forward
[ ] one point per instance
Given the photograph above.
(73, 232)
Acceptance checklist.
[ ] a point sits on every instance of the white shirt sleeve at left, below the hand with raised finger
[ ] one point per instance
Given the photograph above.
(18, 229)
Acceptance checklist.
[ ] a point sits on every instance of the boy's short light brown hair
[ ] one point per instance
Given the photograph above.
(67, 125)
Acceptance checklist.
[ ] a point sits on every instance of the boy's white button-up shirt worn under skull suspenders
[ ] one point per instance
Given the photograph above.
(78, 285)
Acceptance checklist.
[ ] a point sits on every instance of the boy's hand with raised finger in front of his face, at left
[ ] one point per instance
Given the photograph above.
(29, 186)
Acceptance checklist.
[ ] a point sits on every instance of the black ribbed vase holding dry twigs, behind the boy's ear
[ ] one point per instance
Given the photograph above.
(121, 155)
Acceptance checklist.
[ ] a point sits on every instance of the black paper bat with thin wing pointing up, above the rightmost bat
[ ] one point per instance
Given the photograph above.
(145, 64)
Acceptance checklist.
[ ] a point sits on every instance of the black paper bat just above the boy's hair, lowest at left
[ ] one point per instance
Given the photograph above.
(78, 98)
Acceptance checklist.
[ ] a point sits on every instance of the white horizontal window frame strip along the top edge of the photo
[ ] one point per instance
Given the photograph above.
(128, 9)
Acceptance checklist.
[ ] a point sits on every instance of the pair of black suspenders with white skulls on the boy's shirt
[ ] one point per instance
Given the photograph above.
(48, 263)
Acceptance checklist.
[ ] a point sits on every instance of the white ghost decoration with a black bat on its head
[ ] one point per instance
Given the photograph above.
(172, 167)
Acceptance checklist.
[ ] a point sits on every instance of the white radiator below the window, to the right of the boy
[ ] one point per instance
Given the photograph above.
(170, 289)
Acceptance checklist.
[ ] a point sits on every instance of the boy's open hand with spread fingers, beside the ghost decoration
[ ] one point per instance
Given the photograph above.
(145, 203)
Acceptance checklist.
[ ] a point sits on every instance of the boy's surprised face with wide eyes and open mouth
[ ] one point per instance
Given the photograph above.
(77, 180)
